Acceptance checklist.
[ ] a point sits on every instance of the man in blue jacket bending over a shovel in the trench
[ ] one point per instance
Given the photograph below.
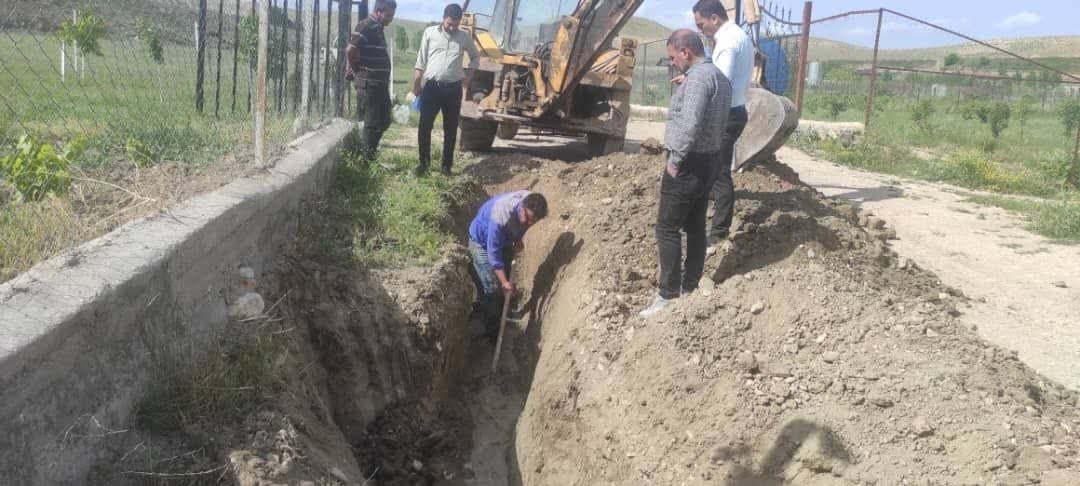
(495, 236)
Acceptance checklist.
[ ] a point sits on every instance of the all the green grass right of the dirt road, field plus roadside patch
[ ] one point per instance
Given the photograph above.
(1035, 165)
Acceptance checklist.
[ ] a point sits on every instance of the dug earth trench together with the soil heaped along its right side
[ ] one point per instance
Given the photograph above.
(809, 356)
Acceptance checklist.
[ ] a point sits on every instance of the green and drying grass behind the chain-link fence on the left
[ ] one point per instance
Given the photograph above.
(125, 100)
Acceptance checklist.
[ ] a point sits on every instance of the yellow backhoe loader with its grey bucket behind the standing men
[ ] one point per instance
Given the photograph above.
(550, 65)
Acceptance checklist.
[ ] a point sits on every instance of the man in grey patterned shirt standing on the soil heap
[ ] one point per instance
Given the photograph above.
(699, 111)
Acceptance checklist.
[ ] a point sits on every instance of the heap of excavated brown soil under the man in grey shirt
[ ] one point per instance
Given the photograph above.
(812, 357)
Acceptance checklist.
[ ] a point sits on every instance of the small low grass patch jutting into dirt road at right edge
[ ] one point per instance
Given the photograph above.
(1057, 220)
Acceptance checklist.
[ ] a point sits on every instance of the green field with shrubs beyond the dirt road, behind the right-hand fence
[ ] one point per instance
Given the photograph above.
(1033, 164)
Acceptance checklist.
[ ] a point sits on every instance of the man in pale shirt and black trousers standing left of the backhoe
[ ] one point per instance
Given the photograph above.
(441, 80)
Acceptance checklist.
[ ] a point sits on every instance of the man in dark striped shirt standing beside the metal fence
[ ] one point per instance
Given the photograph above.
(370, 70)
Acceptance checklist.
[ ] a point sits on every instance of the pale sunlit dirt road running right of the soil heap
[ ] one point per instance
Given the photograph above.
(1014, 276)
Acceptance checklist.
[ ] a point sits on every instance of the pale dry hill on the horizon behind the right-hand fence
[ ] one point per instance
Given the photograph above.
(1032, 47)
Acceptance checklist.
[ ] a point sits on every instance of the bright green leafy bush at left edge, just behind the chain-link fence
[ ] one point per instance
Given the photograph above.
(36, 170)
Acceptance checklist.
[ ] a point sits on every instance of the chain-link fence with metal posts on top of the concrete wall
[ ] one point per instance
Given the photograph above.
(112, 110)
